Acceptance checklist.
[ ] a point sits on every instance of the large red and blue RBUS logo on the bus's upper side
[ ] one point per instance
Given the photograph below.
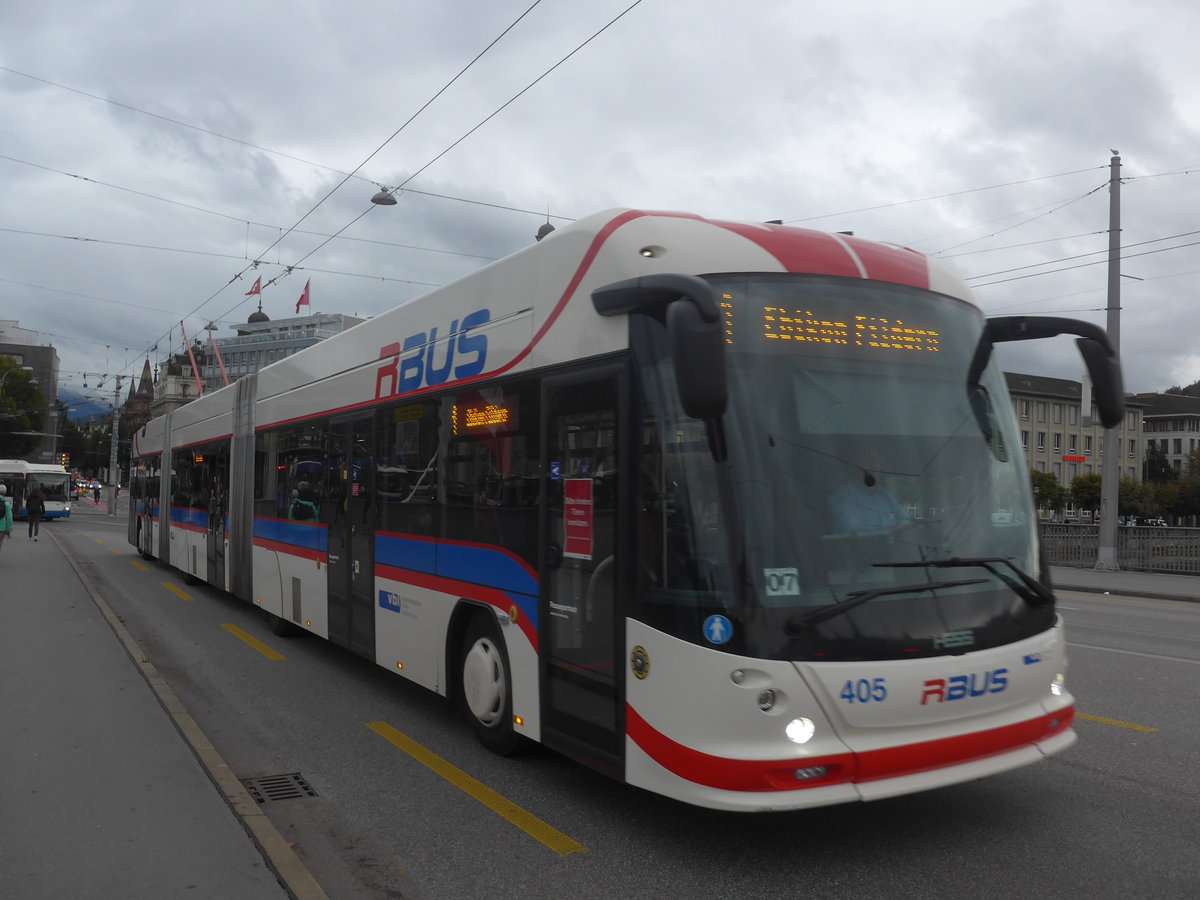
(423, 369)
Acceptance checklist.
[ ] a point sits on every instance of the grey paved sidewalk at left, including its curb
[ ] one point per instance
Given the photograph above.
(105, 794)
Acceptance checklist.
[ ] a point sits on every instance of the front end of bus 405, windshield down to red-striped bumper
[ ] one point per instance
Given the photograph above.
(839, 593)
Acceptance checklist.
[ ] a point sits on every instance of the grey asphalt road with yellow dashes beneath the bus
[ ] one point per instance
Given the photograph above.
(1114, 817)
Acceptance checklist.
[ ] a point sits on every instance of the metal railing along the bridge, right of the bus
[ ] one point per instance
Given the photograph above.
(1139, 549)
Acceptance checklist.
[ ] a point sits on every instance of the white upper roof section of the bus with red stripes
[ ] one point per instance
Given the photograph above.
(533, 309)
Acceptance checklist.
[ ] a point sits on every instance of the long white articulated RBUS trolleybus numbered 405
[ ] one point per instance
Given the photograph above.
(734, 513)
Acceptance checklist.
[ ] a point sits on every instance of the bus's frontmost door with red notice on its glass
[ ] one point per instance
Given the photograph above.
(581, 623)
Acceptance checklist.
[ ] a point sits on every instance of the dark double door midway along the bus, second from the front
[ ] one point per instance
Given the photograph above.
(349, 511)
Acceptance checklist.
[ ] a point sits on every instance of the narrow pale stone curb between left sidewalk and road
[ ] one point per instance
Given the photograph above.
(291, 872)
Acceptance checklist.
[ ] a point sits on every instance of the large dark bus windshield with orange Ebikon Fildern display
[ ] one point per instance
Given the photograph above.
(856, 453)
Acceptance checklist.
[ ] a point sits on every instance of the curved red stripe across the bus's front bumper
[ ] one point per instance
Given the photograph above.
(730, 775)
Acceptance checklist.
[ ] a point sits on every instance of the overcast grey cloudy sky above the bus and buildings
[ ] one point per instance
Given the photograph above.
(149, 153)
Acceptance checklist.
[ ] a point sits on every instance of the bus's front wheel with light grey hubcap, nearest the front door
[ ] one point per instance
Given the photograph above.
(487, 687)
